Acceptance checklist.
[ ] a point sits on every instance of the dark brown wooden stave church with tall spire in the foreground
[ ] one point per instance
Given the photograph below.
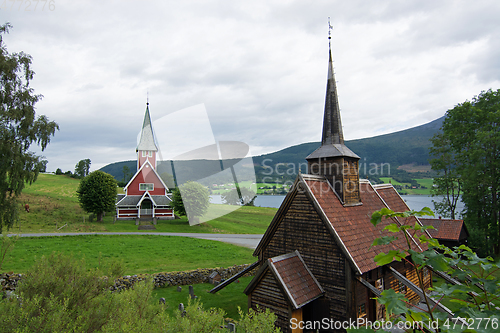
(325, 222)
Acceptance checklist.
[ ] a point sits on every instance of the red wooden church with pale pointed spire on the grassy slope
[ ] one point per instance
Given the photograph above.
(146, 195)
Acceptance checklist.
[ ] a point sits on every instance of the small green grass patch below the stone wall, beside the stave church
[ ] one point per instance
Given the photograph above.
(228, 298)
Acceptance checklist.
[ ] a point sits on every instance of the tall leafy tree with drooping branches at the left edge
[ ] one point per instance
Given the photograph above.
(19, 129)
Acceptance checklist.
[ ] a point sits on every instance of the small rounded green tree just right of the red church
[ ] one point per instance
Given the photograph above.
(195, 199)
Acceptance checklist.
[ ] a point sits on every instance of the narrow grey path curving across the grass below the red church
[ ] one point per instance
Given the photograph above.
(248, 240)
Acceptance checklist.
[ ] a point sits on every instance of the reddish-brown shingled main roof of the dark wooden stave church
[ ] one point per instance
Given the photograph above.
(350, 226)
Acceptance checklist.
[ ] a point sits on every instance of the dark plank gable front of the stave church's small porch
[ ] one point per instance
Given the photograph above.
(268, 294)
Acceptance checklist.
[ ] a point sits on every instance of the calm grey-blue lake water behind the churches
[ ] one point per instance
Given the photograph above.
(415, 202)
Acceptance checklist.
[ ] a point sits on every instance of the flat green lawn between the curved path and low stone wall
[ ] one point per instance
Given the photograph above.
(139, 253)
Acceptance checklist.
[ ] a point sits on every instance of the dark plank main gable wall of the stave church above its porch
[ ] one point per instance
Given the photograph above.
(302, 229)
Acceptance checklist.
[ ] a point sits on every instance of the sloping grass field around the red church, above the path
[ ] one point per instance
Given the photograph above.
(54, 208)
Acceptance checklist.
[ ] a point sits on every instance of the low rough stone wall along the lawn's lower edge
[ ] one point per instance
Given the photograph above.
(9, 281)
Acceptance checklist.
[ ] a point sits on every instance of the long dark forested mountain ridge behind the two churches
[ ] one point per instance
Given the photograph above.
(410, 146)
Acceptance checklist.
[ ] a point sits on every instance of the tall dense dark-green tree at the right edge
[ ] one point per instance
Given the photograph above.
(472, 129)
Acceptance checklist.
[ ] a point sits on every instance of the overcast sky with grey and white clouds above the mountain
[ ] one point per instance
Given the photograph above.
(258, 67)
